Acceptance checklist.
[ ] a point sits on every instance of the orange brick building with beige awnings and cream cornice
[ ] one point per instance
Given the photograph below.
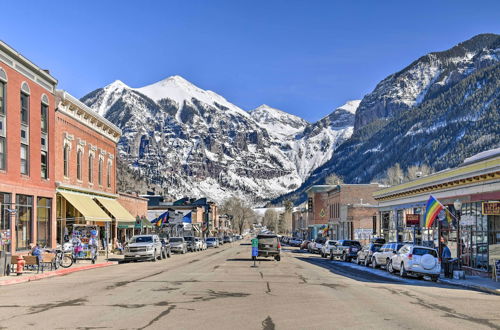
(85, 170)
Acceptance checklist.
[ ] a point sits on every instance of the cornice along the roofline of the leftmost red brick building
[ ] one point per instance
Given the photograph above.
(27, 68)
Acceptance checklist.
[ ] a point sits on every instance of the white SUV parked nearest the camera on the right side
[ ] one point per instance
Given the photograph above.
(419, 261)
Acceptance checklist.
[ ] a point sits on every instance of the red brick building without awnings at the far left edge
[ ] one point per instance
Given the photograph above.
(26, 152)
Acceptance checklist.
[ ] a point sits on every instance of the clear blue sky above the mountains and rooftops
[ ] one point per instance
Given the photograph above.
(304, 57)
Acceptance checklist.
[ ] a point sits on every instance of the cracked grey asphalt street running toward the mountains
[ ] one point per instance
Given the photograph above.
(218, 289)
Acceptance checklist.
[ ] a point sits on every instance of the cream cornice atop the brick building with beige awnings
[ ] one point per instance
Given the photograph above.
(74, 108)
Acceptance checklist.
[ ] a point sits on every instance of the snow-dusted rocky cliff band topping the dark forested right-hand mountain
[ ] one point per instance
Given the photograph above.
(427, 77)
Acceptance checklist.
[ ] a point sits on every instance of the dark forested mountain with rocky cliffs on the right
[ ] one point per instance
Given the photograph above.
(414, 118)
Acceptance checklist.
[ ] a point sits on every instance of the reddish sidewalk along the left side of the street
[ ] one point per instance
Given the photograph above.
(32, 275)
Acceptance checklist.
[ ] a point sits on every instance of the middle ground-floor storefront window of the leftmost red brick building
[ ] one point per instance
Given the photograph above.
(24, 223)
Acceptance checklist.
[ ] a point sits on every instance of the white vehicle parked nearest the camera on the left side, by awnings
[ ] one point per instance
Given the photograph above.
(142, 247)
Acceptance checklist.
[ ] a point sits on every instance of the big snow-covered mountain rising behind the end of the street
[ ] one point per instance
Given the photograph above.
(190, 141)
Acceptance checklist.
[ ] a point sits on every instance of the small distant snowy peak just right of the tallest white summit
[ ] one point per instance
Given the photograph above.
(278, 123)
